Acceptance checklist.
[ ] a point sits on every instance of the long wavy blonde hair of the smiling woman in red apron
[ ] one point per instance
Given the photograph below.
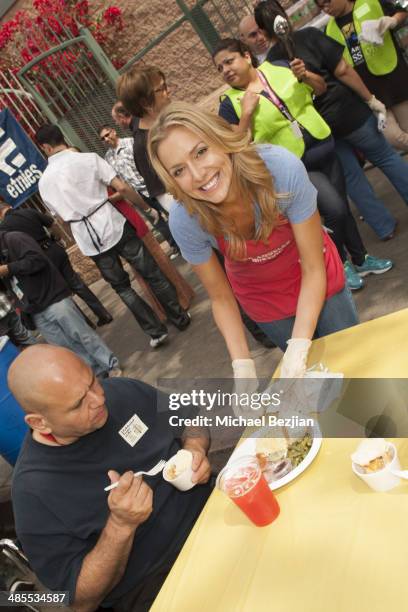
(250, 175)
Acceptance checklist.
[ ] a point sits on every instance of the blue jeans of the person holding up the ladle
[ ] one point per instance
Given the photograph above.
(380, 153)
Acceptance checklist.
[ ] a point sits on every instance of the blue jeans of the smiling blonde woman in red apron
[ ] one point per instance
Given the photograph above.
(339, 312)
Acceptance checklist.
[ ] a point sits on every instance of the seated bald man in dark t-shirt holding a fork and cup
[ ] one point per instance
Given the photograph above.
(115, 548)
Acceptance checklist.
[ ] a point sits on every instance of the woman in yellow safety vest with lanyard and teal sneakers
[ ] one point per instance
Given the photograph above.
(275, 103)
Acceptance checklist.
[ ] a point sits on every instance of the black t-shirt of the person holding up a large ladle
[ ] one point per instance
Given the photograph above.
(341, 108)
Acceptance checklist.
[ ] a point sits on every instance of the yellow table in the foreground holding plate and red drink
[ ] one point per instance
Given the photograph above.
(336, 546)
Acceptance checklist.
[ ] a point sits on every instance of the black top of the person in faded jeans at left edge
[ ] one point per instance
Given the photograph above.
(39, 281)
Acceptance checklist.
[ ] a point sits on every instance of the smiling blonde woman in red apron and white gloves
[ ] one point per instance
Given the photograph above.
(257, 206)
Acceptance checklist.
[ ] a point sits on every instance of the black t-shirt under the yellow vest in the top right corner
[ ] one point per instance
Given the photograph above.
(390, 88)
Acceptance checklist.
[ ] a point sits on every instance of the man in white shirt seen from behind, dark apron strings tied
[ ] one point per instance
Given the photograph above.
(75, 187)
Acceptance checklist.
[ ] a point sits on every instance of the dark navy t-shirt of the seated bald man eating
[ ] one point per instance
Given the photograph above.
(61, 507)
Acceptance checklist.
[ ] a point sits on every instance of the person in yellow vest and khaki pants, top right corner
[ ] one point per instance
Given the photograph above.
(363, 27)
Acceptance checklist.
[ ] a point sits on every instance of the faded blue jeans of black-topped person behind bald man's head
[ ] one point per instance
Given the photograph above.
(63, 325)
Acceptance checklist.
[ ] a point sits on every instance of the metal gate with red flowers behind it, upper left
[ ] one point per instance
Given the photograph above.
(72, 81)
